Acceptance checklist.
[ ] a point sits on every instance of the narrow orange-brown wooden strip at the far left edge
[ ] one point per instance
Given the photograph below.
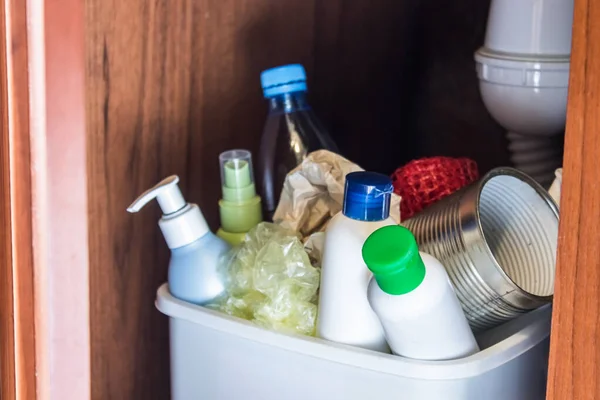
(17, 328)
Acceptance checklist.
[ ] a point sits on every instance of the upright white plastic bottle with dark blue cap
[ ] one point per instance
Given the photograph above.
(345, 315)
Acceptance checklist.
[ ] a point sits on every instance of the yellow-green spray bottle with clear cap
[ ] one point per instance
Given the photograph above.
(240, 207)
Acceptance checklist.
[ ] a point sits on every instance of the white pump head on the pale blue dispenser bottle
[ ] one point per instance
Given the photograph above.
(182, 223)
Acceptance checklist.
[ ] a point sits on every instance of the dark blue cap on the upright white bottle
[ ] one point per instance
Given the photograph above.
(367, 196)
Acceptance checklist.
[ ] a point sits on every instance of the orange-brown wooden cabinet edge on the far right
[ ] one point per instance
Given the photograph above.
(575, 341)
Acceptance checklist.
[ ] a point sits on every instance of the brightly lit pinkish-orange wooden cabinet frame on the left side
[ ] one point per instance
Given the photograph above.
(44, 301)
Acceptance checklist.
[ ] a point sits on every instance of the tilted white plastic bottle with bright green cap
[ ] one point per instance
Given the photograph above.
(412, 295)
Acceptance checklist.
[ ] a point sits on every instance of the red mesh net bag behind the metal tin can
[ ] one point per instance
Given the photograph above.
(423, 182)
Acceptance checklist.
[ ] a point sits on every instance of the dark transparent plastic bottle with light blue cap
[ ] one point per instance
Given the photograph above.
(291, 132)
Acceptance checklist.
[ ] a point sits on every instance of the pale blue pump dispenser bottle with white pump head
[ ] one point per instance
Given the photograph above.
(195, 251)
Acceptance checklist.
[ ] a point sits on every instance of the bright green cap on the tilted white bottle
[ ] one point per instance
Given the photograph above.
(392, 255)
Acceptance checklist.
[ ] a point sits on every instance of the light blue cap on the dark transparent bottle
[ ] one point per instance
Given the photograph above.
(284, 79)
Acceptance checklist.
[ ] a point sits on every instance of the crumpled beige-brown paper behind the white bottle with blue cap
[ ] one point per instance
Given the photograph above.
(313, 193)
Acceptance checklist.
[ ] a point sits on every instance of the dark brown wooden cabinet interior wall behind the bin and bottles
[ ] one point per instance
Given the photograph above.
(171, 84)
